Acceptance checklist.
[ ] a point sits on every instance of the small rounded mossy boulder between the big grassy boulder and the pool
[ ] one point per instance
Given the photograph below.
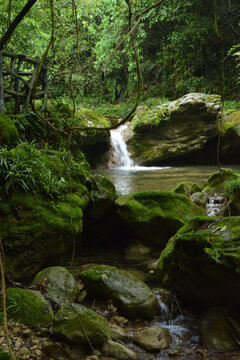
(102, 195)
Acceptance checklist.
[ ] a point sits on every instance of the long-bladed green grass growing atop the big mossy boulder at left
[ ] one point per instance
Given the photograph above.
(29, 169)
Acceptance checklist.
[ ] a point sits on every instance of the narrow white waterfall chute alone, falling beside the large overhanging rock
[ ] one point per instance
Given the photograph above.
(119, 157)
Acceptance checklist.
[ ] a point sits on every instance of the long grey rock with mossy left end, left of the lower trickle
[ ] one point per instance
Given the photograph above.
(132, 297)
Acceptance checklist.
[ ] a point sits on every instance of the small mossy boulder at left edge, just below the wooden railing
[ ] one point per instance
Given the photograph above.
(9, 134)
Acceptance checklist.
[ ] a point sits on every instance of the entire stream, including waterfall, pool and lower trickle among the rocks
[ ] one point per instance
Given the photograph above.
(182, 325)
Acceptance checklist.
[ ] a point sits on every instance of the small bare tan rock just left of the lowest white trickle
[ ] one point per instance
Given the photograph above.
(153, 338)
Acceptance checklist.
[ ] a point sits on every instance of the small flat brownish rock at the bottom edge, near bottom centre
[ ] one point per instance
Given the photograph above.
(118, 351)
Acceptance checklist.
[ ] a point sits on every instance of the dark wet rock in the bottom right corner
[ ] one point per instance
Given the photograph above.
(220, 331)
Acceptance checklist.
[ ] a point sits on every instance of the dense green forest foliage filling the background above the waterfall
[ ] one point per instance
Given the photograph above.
(181, 45)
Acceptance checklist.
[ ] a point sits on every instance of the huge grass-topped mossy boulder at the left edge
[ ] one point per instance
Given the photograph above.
(39, 213)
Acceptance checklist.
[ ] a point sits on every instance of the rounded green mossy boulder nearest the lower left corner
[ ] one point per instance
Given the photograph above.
(28, 307)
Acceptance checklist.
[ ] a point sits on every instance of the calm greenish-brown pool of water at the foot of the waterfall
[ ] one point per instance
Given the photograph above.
(134, 179)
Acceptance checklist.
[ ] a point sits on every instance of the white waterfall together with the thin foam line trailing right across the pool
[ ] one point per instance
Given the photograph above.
(120, 155)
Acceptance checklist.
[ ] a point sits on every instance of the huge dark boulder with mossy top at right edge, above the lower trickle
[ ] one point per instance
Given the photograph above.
(202, 262)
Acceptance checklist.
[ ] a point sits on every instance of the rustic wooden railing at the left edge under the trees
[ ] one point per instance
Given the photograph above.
(18, 74)
